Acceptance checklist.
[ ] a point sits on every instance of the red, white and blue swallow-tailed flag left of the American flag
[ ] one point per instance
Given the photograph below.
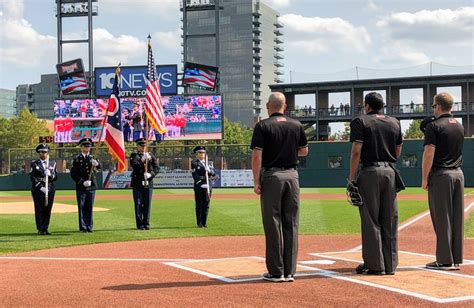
(113, 132)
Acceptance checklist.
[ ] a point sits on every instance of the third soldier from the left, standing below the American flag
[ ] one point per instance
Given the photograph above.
(142, 183)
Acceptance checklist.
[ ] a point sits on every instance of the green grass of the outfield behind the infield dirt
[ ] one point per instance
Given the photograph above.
(175, 218)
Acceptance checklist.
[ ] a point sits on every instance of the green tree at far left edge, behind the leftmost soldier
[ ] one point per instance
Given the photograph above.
(22, 131)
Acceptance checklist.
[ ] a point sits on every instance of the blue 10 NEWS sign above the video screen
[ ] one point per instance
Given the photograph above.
(133, 80)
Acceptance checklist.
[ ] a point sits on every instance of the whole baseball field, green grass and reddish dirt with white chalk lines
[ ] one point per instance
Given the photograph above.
(177, 264)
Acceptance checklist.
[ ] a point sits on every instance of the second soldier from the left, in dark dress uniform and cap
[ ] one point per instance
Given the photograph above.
(83, 171)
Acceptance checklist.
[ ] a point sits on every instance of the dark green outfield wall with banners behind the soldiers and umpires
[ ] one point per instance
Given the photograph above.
(327, 165)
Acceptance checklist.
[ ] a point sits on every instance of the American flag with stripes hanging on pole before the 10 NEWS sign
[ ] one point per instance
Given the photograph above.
(153, 105)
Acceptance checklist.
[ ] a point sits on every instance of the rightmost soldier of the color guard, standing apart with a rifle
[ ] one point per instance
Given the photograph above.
(202, 185)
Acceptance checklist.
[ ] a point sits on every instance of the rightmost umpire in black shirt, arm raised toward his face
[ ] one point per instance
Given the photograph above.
(443, 178)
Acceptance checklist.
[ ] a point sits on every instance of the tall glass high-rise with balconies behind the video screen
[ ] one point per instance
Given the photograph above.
(249, 46)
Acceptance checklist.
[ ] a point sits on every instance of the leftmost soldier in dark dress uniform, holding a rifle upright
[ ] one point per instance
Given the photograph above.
(42, 170)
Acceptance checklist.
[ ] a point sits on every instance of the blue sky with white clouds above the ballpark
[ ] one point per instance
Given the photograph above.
(321, 38)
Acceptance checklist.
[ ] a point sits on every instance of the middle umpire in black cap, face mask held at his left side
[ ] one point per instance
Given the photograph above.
(376, 143)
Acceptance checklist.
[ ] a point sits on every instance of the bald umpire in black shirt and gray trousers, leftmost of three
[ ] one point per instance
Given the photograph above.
(276, 144)
